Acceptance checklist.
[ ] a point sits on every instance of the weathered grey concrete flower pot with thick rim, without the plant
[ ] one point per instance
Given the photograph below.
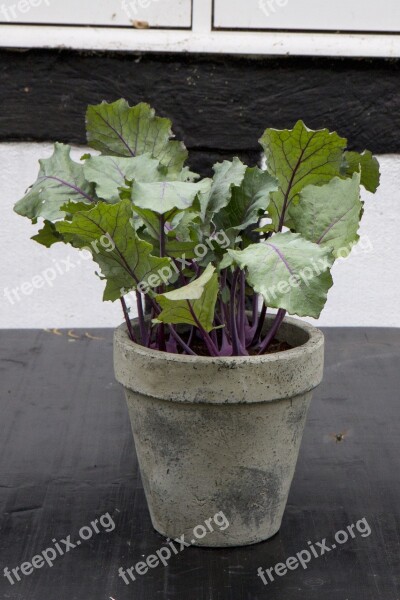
(219, 434)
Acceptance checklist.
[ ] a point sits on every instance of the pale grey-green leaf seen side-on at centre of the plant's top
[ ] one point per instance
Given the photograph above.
(165, 196)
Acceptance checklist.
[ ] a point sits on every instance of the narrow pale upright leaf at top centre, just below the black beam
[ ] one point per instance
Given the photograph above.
(226, 175)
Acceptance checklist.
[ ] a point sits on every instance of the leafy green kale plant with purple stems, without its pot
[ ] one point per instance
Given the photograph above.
(203, 258)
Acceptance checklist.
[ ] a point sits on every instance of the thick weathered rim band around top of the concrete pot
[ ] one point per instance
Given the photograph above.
(223, 379)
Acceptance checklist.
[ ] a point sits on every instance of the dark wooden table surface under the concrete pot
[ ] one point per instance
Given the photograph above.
(67, 458)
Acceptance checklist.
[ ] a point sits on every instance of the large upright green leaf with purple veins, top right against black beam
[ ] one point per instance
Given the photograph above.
(297, 158)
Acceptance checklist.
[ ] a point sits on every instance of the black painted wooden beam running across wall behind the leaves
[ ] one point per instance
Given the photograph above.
(220, 105)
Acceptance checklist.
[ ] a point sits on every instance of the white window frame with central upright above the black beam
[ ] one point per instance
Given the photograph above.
(201, 39)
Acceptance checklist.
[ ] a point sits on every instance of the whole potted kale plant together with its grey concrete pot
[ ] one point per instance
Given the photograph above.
(217, 384)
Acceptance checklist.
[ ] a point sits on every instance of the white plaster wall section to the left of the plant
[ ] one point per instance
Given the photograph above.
(74, 298)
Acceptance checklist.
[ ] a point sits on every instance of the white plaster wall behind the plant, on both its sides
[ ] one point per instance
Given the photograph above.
(366, 290)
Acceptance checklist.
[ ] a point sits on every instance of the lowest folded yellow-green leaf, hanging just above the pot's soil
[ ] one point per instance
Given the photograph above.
(192, 304)
